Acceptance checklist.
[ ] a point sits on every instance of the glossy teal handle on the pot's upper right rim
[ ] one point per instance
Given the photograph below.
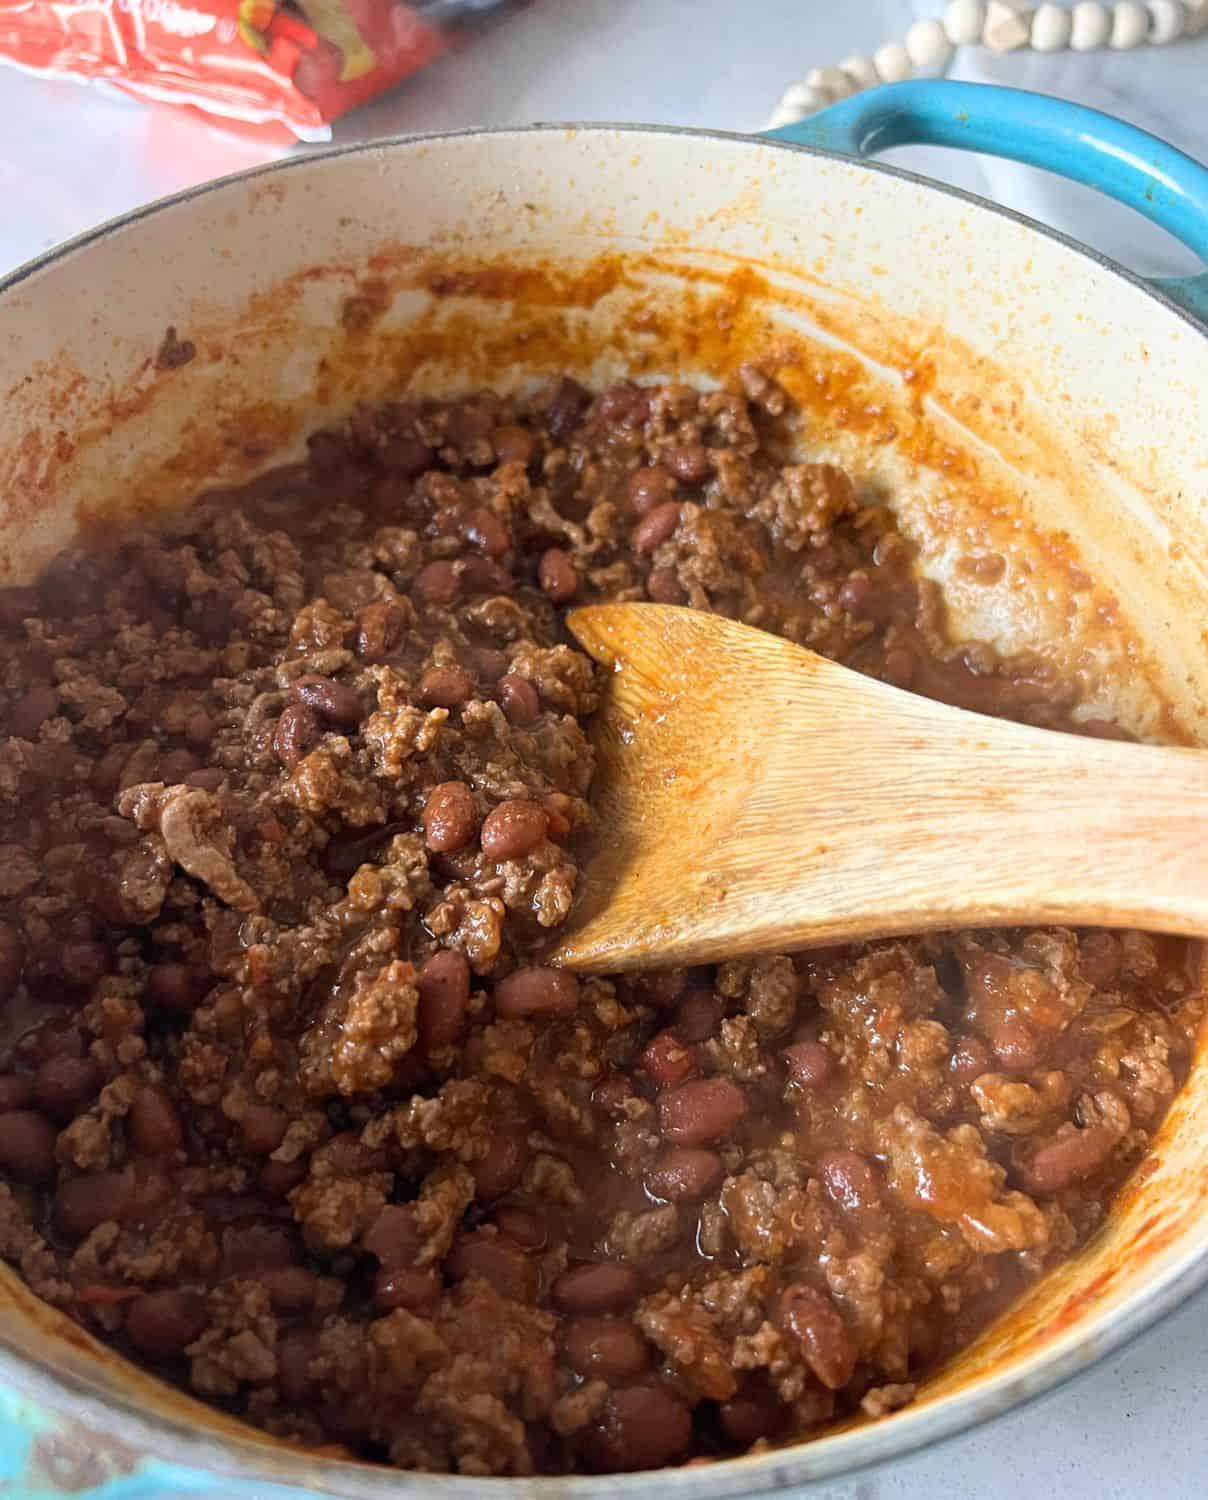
(1119, 160)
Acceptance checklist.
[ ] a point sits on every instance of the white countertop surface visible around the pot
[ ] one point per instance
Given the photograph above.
(71, 158)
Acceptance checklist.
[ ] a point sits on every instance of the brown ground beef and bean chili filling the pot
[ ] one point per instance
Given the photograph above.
(292, 797)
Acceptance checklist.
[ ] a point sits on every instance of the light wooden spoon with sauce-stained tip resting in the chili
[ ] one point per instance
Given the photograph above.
(754, 797)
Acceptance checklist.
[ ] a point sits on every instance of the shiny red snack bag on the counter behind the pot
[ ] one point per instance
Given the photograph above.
(299, 64)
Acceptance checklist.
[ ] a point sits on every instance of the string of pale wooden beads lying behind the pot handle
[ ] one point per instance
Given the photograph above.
(1005, 26)
